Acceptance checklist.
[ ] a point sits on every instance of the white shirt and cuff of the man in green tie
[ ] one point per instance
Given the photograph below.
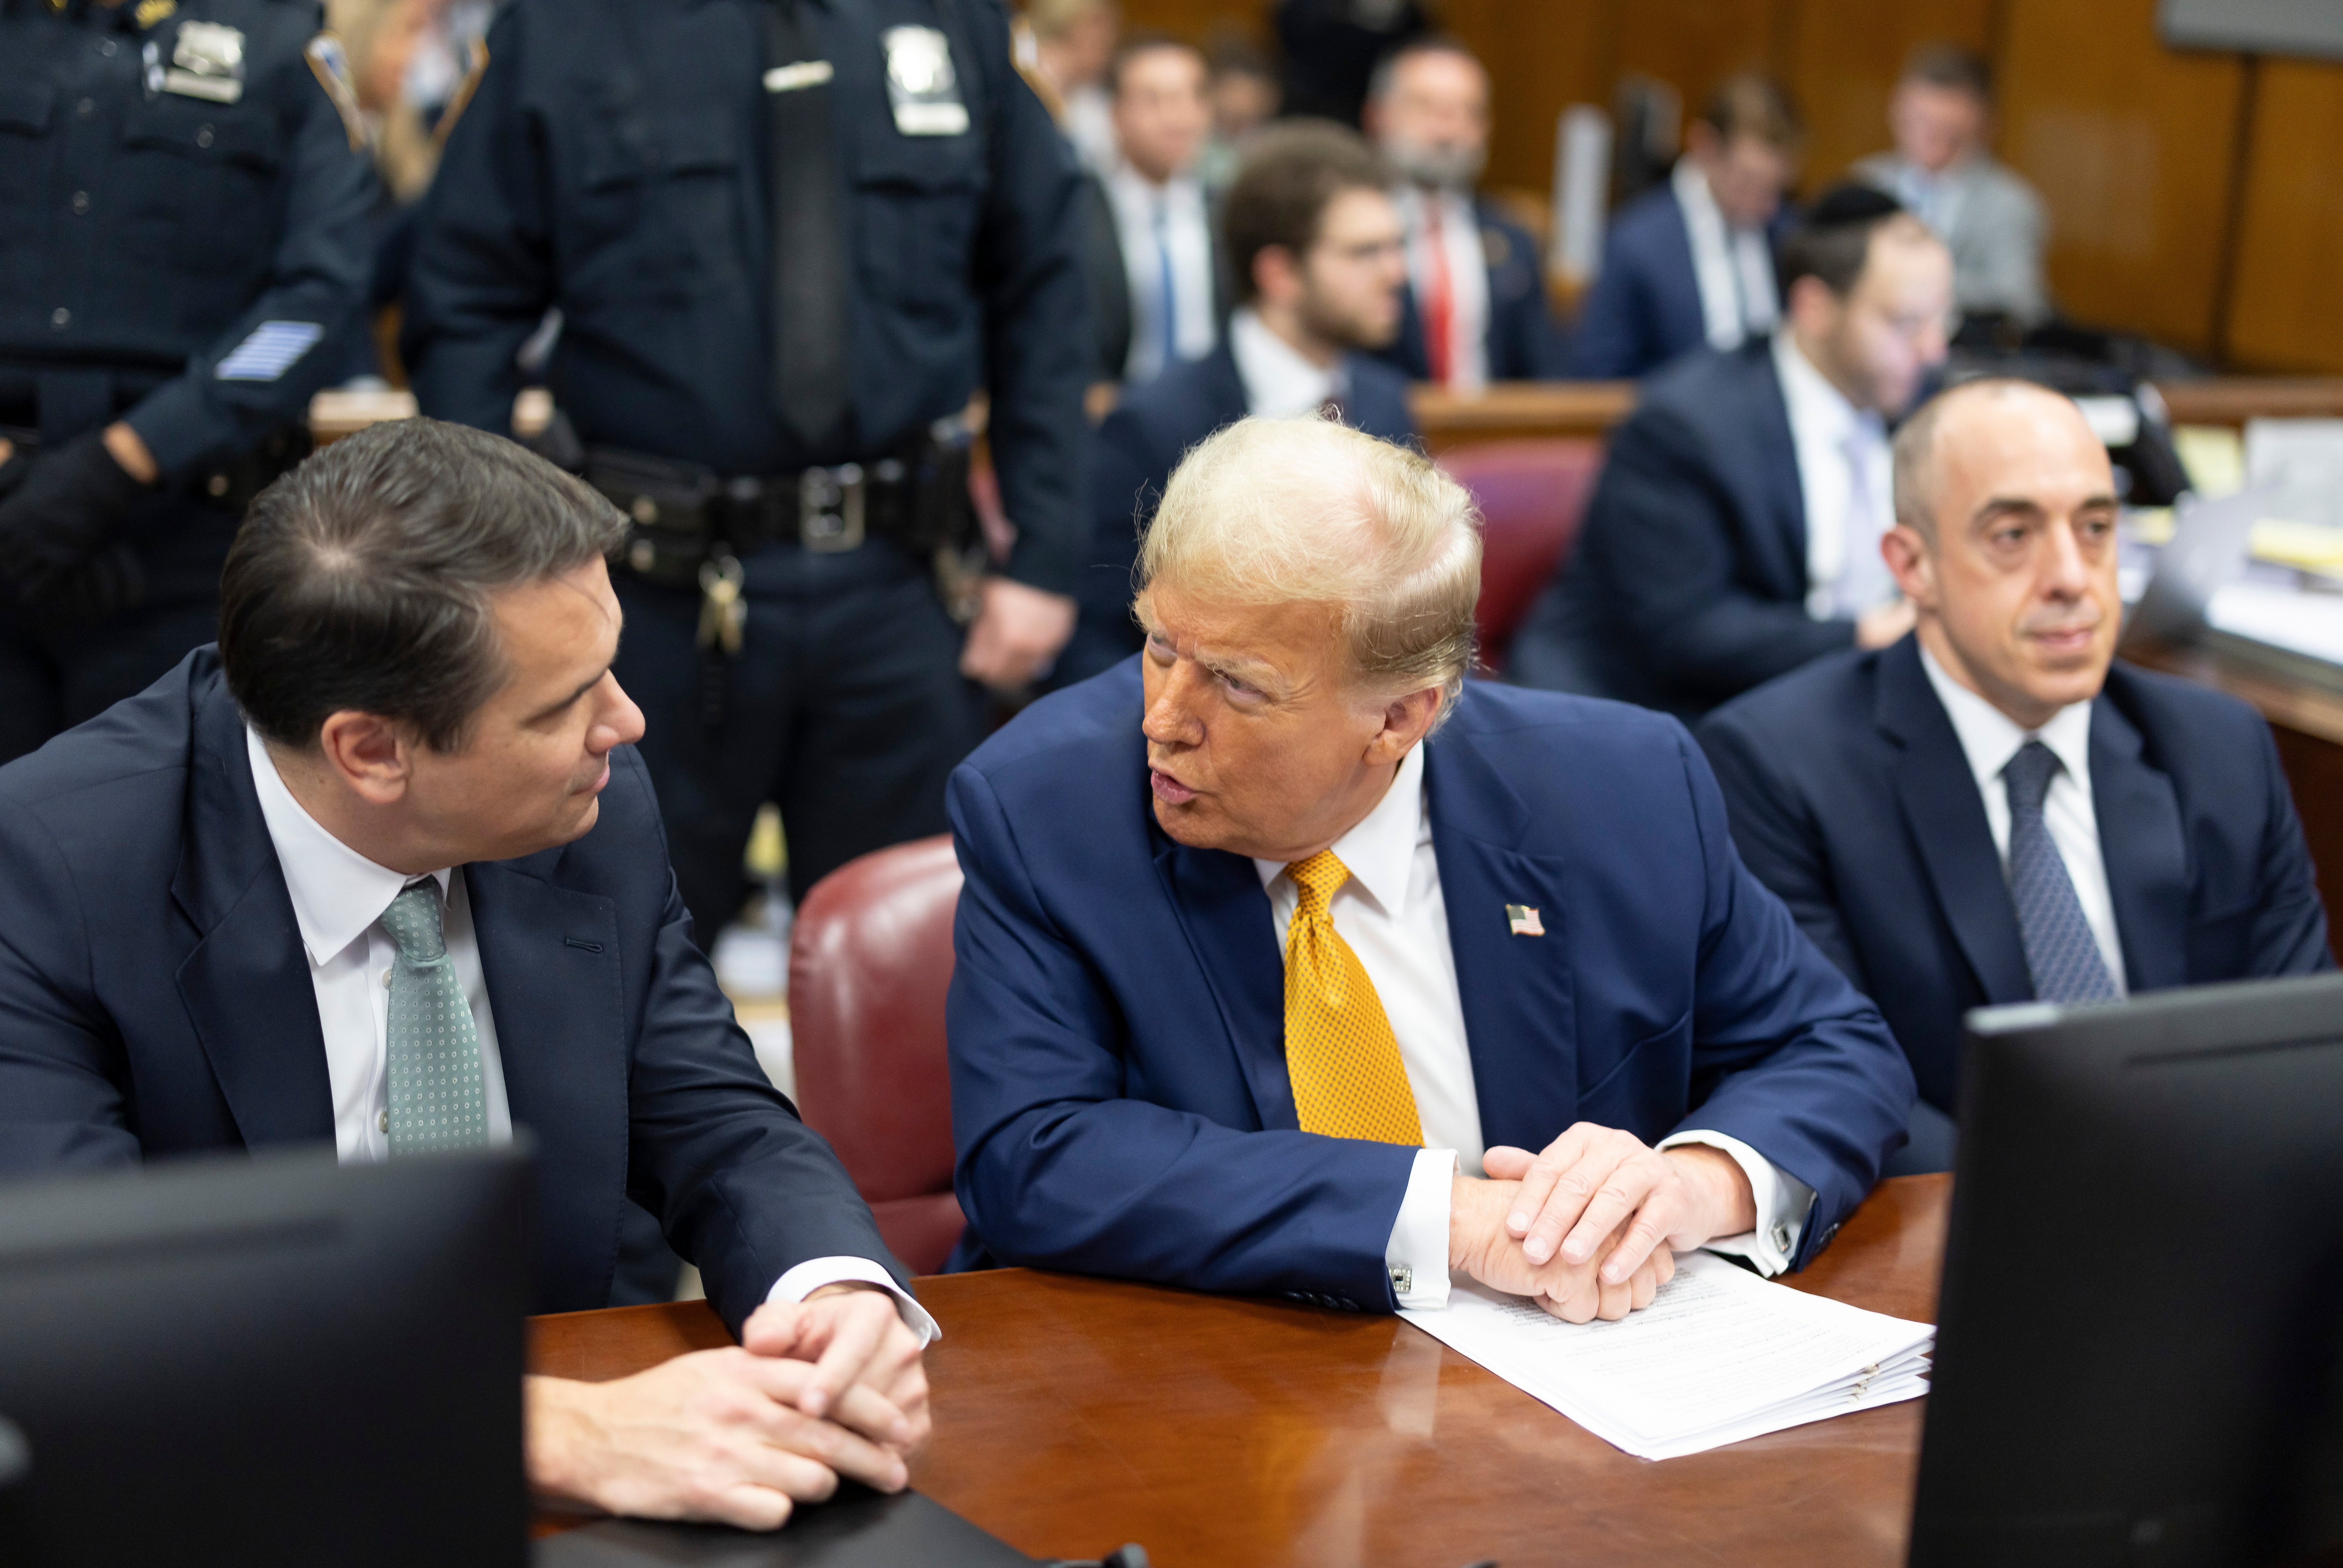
(339, 904)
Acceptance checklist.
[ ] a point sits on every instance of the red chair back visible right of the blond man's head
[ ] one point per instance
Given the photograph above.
(1533, 496)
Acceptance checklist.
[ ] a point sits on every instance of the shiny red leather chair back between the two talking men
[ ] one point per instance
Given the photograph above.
(868, 972)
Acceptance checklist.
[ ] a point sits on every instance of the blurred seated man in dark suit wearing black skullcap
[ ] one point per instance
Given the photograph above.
(1735, 531)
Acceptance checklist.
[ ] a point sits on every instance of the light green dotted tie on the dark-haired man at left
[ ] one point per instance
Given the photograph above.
(437, 1091)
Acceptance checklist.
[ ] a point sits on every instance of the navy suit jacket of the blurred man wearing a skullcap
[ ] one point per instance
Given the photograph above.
(1690, 575)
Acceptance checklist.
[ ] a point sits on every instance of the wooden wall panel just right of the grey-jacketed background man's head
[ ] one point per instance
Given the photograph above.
(2131, 146)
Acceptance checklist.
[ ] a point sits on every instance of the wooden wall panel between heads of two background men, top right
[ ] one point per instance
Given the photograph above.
(1843, 60)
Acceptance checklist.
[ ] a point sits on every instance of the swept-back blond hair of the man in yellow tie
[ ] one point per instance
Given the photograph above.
(1313, 512)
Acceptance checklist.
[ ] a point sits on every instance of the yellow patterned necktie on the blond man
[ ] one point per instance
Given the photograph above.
(1341, 1058)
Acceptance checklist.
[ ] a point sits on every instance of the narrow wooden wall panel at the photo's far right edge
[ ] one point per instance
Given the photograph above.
(2288, 306)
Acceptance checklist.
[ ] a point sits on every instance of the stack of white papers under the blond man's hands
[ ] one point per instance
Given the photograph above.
(1716, 1358)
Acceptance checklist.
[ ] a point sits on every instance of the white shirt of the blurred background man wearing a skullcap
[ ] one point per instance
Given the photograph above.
(1847, 482)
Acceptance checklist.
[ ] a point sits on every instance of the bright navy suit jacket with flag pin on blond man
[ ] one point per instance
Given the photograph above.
(1119, 1077)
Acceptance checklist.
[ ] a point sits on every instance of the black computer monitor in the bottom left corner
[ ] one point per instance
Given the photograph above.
(273, 1361)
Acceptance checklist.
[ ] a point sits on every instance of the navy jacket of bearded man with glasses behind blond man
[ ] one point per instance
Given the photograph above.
(1133, 461)
